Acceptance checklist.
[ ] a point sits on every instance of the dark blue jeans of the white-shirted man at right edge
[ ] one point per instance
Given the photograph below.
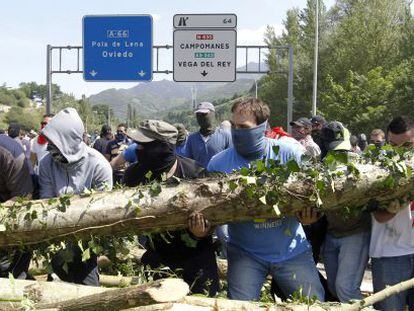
(389, 271)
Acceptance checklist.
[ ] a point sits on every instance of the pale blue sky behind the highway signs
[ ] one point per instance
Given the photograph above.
(27, 27)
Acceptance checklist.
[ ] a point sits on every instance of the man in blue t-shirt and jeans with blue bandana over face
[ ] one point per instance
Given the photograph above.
(274, 246)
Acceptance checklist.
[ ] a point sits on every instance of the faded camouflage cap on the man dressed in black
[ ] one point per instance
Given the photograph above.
(150, 130)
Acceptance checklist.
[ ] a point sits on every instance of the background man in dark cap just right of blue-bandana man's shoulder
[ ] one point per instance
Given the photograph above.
(301, 131)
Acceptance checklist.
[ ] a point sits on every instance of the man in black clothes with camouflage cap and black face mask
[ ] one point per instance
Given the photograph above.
(190, 250)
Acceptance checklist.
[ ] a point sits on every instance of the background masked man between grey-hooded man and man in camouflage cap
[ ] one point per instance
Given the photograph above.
(115, 147)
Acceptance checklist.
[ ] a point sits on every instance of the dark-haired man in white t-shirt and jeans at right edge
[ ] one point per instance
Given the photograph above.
(392, 237)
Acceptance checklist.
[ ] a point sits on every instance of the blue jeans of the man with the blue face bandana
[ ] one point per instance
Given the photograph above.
(246, 275)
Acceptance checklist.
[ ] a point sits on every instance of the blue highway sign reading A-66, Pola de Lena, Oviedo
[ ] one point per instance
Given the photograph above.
(117, 48)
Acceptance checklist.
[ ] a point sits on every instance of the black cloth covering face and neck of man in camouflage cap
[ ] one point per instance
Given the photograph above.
(156, 157)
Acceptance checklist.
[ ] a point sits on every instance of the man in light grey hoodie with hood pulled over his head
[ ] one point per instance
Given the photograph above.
(71, 167)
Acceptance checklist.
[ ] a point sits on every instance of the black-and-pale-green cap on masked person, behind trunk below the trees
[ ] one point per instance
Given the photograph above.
(337, 136)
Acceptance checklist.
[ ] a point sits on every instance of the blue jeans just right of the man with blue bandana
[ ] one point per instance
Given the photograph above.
(345, 261)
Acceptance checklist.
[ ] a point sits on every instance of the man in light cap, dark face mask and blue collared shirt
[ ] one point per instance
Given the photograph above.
(208, 141)
